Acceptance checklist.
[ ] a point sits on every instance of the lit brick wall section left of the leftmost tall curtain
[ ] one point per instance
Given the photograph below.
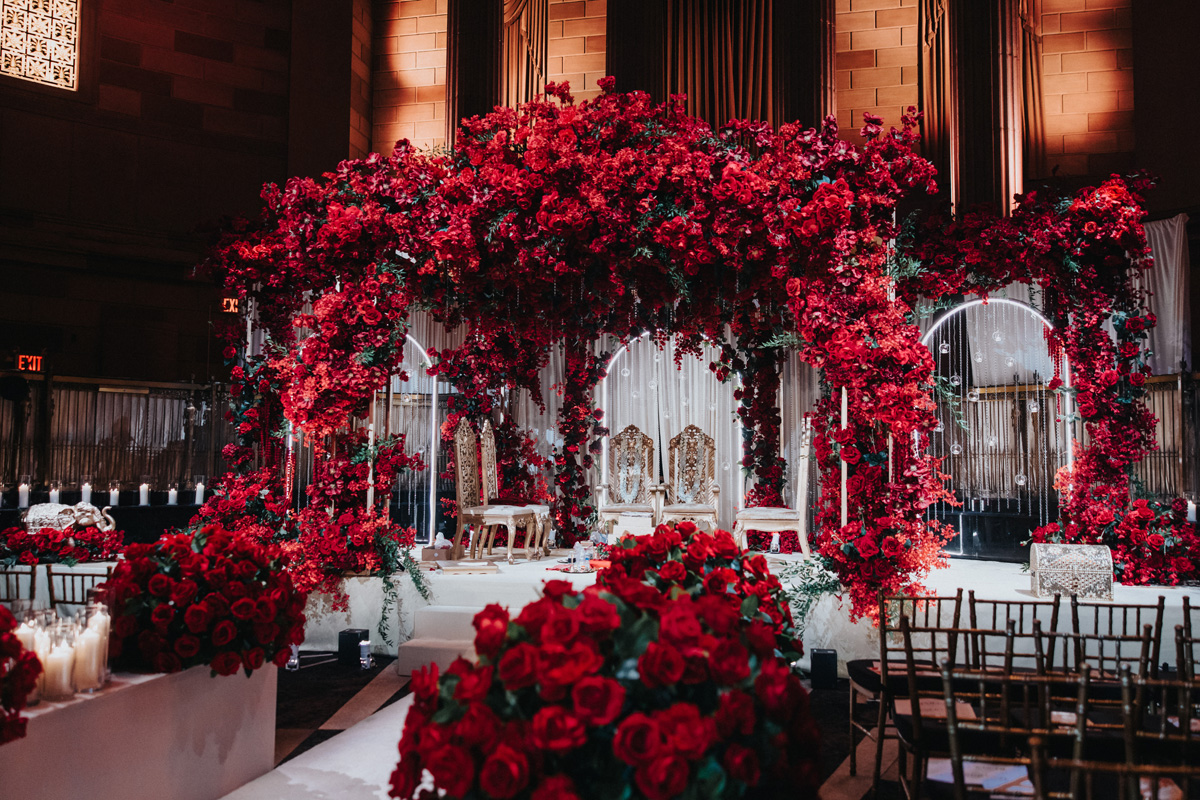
(410, 74)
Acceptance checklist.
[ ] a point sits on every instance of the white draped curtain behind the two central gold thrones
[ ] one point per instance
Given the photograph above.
(646, 389)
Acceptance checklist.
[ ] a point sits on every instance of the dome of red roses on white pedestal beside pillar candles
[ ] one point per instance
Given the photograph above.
(212, 598)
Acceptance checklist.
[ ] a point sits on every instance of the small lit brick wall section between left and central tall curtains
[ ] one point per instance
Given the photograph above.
(577, 45)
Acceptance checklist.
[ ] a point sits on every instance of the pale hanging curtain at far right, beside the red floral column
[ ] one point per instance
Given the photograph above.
(1171, 341)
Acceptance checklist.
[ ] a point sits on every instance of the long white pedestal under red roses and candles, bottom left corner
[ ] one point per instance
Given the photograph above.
(187, 737)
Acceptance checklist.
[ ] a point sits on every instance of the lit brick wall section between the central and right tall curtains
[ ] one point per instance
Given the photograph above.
(877, 62)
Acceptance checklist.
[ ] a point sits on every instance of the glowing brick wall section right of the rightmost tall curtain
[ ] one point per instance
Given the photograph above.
(1088, 56)
